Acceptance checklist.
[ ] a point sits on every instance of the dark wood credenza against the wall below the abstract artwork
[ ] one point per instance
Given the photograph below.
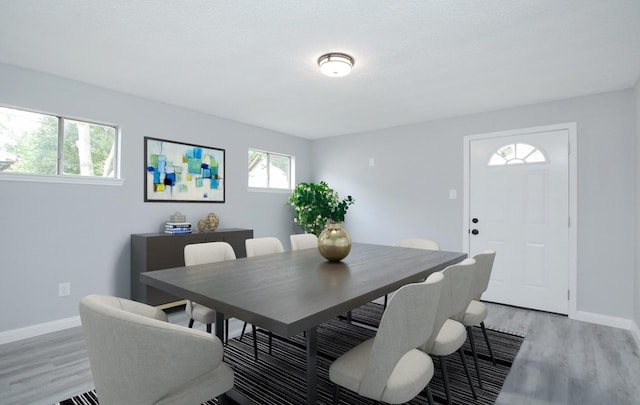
(156, 251)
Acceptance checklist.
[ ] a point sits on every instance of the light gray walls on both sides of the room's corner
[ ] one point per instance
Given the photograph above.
(80, 233)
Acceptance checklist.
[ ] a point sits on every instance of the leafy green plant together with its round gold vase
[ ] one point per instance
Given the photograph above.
(319, 210)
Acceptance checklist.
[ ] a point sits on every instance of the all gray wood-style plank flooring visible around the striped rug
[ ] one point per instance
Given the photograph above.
(560, 362)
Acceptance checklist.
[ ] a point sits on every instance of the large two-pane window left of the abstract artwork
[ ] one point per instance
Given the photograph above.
(41, 144)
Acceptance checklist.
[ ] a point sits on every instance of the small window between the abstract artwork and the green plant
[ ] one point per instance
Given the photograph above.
(270, 170)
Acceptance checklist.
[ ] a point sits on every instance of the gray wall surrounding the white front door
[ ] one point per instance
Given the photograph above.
(406, 193)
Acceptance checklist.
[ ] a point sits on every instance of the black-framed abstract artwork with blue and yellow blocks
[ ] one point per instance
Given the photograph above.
(176, 171)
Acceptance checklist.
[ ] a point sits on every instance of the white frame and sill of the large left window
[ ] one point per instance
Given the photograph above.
(60, 177)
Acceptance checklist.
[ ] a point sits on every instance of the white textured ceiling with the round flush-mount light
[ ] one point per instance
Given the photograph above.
(256, 61)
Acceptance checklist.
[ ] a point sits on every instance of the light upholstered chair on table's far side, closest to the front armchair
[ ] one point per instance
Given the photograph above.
(202, 253)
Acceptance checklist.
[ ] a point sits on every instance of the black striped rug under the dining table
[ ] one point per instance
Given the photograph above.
(280, 378)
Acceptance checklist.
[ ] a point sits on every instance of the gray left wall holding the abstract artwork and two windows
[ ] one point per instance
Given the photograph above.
(80, 233)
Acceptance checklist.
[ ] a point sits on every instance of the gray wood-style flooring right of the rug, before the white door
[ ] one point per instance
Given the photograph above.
(563, 361)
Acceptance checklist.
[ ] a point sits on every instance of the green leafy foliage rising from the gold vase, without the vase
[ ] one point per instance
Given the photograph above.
(316, 203)
